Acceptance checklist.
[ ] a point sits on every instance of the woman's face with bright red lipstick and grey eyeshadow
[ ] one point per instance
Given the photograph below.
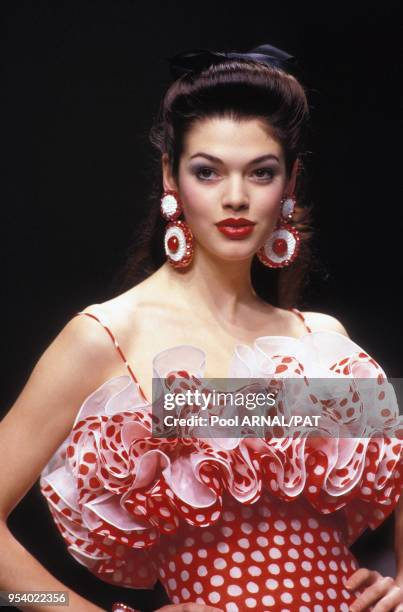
(231, 170)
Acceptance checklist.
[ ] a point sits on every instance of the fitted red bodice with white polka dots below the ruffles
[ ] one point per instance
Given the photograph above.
(268, 556)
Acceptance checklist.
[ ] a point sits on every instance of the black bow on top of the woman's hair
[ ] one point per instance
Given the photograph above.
(195, 60)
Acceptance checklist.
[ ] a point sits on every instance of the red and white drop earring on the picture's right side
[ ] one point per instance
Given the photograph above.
(282, 246)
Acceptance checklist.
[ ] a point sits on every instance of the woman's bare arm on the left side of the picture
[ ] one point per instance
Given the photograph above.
(72, 366)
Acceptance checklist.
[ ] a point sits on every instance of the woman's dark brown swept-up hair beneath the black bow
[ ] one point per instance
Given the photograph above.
(240, 89)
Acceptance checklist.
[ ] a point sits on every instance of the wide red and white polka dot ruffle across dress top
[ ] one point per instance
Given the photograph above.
(114, 490)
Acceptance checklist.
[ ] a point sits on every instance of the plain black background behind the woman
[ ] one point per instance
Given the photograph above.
(81, 82)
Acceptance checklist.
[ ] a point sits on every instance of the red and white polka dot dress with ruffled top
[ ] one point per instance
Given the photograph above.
(255, 523)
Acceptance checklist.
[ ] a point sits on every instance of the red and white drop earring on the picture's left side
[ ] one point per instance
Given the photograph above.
(178, 238)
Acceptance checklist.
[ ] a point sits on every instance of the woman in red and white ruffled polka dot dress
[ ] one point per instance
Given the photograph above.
(225, 523)
